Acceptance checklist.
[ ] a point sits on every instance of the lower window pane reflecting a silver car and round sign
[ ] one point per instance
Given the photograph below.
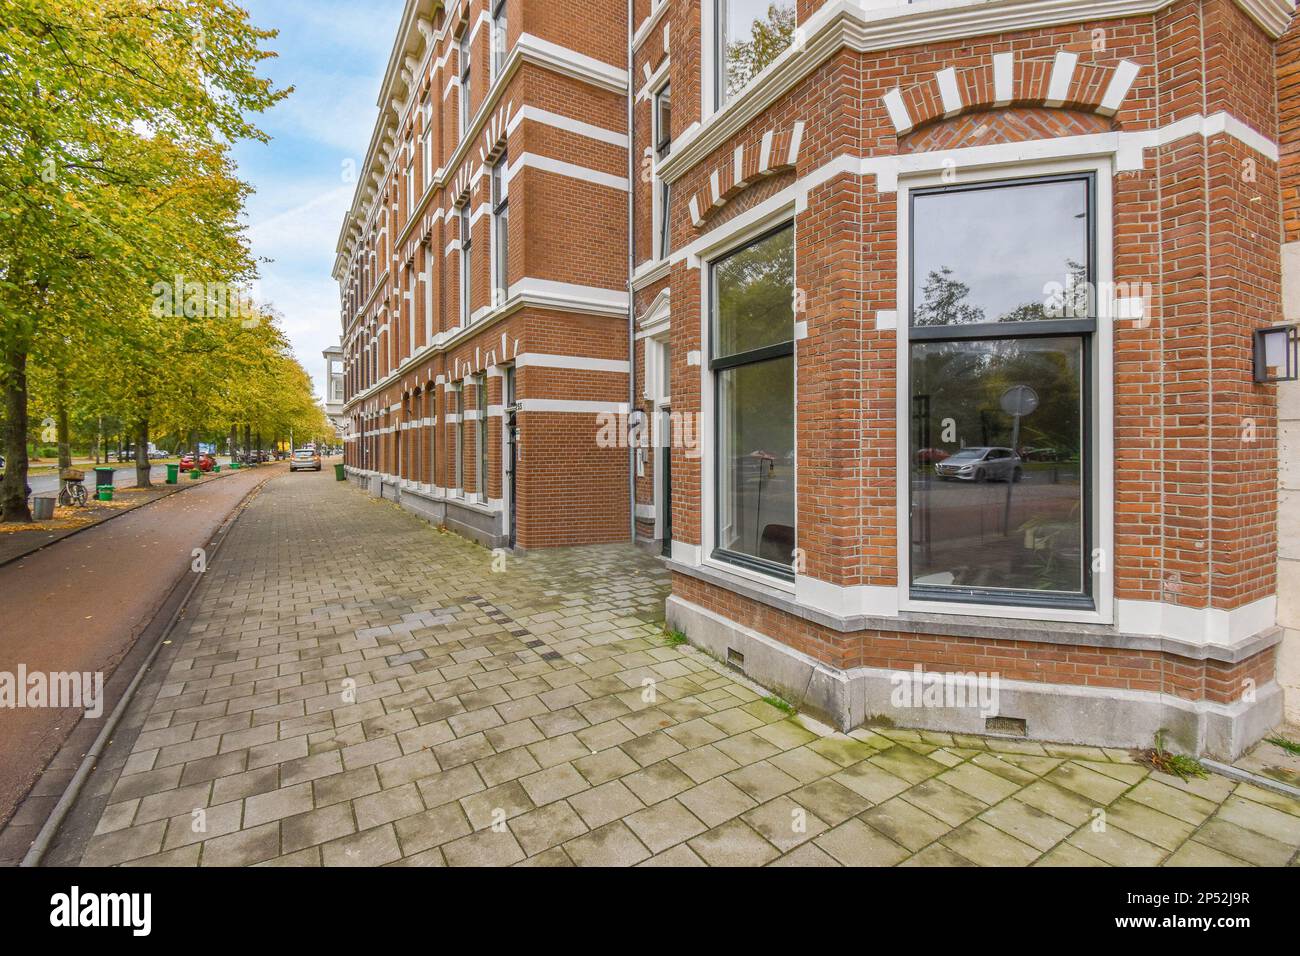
(999, 498)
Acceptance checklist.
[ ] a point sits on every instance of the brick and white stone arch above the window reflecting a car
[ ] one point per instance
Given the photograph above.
(1006, 80)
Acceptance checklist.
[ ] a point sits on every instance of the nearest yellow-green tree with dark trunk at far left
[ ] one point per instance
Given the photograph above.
(98, 105)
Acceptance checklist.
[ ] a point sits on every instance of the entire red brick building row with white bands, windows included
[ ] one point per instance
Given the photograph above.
(942, 340)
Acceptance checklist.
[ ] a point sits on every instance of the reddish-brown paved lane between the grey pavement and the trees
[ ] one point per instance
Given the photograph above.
(80, 605)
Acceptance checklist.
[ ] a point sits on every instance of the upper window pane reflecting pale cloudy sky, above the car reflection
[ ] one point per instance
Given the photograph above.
(1002, 254)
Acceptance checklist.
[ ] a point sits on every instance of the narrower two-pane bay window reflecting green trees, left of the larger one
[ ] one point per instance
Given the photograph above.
(753, 365)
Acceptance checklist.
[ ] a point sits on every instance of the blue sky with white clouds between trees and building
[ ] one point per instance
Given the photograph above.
(335, 54)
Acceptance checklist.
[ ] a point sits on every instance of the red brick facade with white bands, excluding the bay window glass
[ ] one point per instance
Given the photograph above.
(1172, 113)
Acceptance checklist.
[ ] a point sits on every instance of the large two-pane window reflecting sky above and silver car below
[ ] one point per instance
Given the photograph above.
(1002, 328)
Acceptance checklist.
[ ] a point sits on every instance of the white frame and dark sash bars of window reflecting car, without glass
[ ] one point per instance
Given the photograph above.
(1095, 603)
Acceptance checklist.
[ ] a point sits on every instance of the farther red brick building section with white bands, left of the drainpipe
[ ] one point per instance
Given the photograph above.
(484, 274)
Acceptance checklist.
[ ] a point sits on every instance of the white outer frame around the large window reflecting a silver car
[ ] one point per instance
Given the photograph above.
(1102, 388)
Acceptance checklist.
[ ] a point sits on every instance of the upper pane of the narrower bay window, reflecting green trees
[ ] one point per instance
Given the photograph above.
(755, 291)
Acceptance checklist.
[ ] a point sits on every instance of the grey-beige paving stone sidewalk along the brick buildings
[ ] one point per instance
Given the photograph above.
(358, 689)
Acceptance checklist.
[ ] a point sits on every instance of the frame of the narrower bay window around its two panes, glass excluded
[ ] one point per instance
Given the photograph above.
(753, 357)
